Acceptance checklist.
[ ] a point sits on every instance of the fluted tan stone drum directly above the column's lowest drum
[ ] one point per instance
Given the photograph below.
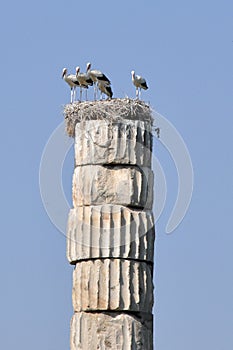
(112, 284)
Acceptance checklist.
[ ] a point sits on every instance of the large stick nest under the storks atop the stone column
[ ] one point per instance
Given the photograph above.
(109, 110)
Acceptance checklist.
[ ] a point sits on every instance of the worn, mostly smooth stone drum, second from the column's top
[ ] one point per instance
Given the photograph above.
(124, 185)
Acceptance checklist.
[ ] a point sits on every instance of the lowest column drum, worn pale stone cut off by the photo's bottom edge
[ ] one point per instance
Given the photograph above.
(115, 331)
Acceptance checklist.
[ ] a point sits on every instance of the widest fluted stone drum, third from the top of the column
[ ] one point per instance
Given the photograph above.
(110, 231)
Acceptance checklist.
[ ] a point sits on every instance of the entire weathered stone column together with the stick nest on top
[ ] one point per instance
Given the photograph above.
(110, 231)
